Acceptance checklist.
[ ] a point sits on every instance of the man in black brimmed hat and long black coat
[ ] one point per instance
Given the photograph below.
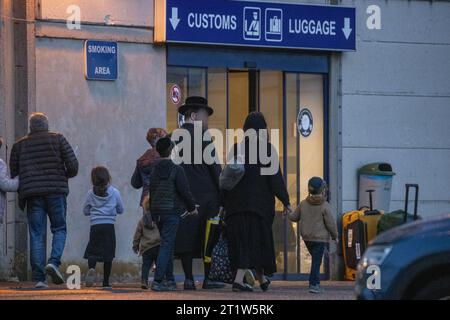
(204, 182)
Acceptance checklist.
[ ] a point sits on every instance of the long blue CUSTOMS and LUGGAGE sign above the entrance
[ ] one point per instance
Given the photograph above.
(262, 24)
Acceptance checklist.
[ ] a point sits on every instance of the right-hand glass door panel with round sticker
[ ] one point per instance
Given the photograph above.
(305, 153)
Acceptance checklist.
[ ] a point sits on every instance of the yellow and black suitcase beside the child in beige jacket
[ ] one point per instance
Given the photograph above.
(358, 228)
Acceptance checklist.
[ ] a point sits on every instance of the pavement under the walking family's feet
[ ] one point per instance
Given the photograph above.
(279, 290)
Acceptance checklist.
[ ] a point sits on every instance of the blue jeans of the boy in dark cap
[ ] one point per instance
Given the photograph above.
(168, 227)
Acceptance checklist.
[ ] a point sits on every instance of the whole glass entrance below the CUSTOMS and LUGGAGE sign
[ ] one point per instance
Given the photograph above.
(282, 97)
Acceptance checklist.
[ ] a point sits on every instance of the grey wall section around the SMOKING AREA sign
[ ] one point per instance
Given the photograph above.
(105, 122)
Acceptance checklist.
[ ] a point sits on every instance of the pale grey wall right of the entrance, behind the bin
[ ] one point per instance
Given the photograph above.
(396, 101)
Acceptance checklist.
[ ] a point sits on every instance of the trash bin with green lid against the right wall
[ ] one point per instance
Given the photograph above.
(377, 177)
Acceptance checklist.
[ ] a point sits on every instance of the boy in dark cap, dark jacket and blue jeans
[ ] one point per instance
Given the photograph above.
(169, 195)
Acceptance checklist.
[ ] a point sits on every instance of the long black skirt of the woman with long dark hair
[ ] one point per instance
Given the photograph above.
(250, 242)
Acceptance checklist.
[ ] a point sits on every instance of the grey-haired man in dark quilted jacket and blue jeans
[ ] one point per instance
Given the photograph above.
(44, 161)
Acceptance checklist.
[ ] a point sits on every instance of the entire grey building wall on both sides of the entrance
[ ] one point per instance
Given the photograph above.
(393, 90)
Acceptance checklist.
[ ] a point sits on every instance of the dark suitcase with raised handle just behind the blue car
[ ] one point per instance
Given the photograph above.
(399, 217)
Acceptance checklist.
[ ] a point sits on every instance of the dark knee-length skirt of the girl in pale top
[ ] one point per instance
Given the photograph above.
(102, 243)
